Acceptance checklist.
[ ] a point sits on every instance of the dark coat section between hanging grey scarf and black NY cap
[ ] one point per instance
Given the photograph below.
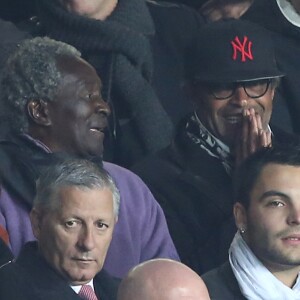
(175, 29)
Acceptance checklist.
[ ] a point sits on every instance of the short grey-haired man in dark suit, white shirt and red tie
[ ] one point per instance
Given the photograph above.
(73, 218)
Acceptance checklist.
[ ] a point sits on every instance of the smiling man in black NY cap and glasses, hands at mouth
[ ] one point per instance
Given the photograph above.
(231, 79)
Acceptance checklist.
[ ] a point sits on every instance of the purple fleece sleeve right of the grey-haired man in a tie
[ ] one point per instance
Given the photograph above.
(141, 232)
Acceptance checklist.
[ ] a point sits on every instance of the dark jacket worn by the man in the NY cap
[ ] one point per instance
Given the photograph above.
(196, 195)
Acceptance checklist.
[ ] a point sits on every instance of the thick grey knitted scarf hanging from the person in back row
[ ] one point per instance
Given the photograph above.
(119, 49)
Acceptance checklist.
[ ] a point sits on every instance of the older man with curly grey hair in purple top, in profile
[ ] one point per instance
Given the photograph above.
(51, 103)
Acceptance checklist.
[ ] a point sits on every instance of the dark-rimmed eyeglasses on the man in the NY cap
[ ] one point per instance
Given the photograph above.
(253, 89)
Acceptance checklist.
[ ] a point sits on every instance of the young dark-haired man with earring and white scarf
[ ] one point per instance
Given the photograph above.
(264, 257)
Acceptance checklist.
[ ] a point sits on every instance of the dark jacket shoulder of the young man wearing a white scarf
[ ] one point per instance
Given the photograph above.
(222, 284)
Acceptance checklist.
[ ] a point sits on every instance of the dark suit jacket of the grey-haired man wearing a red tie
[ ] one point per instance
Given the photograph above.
(30, 277)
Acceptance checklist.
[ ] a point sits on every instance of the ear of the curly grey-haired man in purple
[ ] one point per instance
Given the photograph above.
(38, 111)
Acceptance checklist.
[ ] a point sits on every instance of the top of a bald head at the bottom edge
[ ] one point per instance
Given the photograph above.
(162, 279)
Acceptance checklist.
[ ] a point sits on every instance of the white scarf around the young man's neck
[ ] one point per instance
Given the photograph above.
(256, 282)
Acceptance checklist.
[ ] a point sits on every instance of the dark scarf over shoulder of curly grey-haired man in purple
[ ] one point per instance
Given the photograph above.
(21, 162)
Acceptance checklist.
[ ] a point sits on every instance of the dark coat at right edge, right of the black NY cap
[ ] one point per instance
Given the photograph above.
(286, 38)
